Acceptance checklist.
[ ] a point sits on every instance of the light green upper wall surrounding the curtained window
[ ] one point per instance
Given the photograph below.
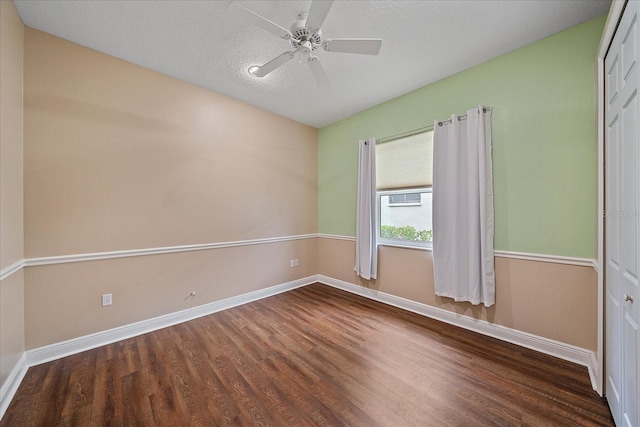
(544, 142)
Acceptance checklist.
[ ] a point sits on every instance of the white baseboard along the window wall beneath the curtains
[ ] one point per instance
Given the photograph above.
(548, 346)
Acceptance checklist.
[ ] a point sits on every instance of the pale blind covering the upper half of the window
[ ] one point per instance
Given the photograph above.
(405, 162)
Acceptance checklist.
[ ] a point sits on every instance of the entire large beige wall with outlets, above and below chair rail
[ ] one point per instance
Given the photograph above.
(120, 157)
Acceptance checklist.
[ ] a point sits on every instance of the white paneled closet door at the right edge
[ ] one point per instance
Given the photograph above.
(622, 221)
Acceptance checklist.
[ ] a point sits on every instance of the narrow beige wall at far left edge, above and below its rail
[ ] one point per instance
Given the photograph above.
(11, 228)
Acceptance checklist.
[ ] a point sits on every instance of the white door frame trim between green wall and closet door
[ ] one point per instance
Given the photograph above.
(613, 19)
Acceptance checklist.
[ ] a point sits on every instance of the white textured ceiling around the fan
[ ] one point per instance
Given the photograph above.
(198, 42)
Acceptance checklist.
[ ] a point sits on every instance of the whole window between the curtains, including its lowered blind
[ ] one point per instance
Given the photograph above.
(403, 168)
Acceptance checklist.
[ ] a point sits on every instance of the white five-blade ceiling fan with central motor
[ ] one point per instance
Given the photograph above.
(305, 37)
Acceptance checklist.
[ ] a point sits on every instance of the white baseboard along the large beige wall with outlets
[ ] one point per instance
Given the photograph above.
(88, 342)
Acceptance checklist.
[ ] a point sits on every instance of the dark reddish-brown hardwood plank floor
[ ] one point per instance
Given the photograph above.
(312, 356)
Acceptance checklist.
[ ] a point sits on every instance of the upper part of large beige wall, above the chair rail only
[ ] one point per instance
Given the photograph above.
(121, 157)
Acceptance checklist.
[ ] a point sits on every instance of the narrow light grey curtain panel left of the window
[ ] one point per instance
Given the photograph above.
(366, 246)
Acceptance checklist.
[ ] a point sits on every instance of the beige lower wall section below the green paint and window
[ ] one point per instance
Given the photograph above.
(534, 297)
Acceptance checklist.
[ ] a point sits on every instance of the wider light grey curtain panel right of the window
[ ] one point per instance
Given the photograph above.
(463, 224)
